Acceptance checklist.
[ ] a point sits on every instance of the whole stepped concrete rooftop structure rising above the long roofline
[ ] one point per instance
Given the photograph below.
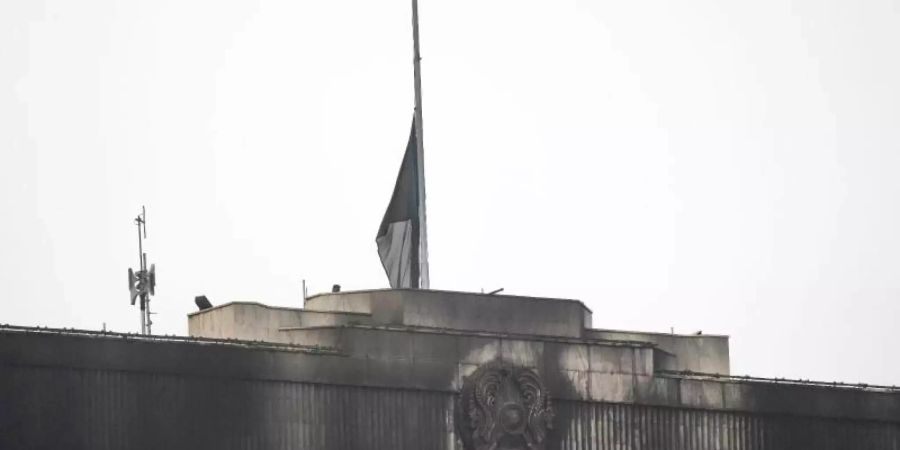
(452, 311)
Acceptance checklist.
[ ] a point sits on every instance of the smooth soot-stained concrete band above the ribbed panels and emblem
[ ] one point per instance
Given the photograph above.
(403, 360)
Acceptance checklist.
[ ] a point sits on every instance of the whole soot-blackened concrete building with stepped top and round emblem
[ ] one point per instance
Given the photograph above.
(403, 369)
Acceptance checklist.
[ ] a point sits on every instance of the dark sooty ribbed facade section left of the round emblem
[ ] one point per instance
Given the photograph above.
(74, 409)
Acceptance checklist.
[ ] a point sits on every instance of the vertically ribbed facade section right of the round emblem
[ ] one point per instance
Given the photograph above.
(633, 427)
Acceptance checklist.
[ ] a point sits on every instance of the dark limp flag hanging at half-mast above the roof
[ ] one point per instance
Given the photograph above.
(401, 236)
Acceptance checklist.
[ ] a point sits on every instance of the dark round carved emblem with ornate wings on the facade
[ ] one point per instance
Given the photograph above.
(503, 407)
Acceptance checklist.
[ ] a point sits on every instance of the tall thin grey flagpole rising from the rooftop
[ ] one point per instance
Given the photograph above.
(422, 260)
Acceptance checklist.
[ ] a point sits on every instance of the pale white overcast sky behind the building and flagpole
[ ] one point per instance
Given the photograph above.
(725, 166)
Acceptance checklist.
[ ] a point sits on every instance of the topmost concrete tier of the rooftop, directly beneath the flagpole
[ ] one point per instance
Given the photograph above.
(462, 311)
